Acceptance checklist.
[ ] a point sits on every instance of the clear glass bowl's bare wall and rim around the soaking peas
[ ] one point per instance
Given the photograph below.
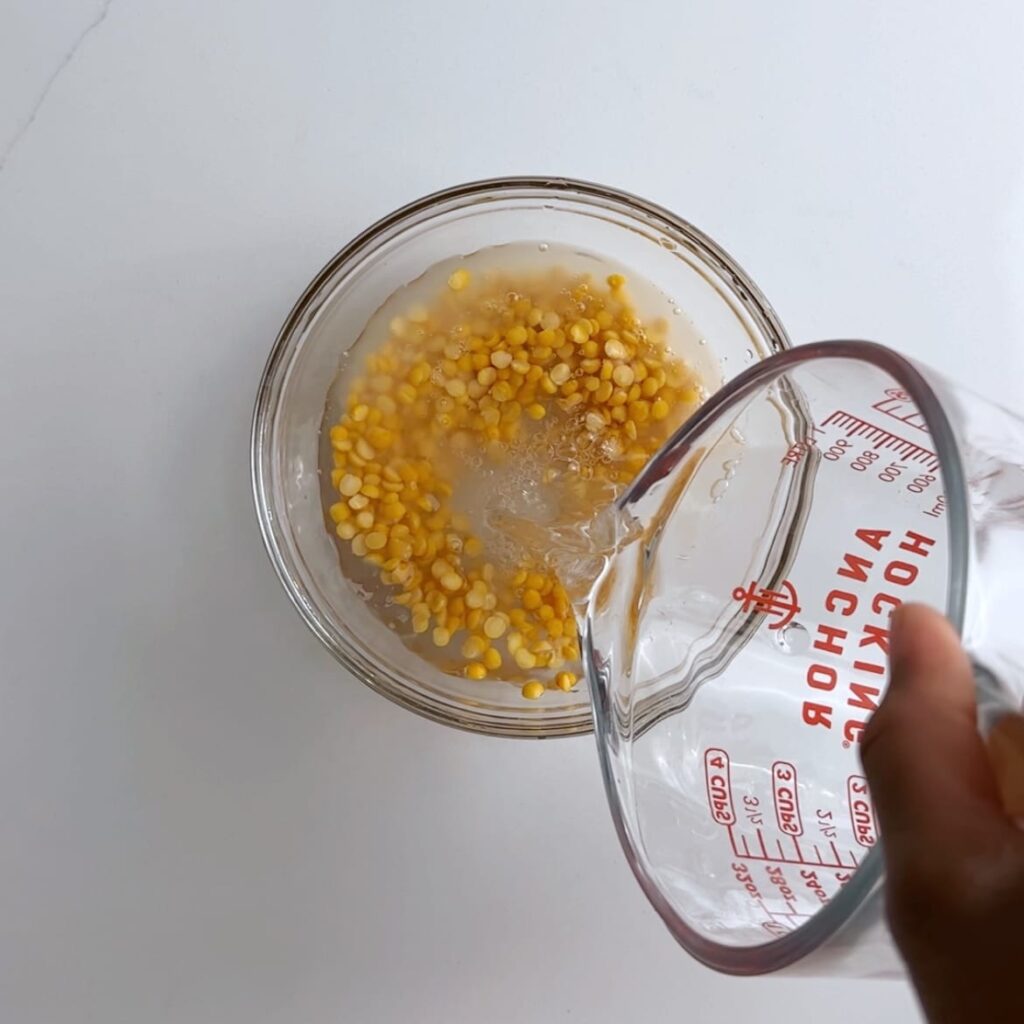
(724, 305)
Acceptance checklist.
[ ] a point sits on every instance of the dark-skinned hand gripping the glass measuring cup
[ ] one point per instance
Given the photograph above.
(955, 858)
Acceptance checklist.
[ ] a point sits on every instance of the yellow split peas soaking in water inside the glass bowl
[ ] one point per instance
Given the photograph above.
(553, 370)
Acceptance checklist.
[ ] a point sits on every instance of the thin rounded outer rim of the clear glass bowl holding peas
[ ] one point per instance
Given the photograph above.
(481, 721)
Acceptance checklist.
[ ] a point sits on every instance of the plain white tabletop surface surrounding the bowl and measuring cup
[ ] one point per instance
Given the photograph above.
(203, 820)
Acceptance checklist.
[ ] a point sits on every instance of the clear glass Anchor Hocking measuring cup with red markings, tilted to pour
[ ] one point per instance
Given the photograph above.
(737, 643)
